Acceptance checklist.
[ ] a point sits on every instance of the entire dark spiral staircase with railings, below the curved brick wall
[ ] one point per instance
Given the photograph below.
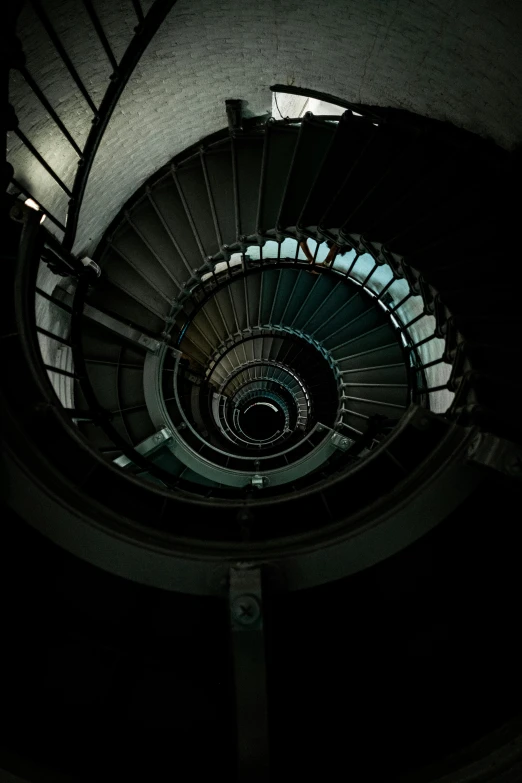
(209, 410)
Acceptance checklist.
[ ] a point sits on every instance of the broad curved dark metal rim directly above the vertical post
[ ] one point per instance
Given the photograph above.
(422, 501)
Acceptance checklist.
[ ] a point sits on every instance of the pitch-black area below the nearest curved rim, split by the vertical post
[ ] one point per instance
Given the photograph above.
(369, 678)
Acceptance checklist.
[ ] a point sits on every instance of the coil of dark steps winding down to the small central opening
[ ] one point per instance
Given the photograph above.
(333, 354)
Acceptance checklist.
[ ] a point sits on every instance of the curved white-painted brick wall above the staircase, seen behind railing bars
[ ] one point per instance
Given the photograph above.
(456, 61)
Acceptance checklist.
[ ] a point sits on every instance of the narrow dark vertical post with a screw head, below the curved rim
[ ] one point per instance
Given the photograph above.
(248, 649)
